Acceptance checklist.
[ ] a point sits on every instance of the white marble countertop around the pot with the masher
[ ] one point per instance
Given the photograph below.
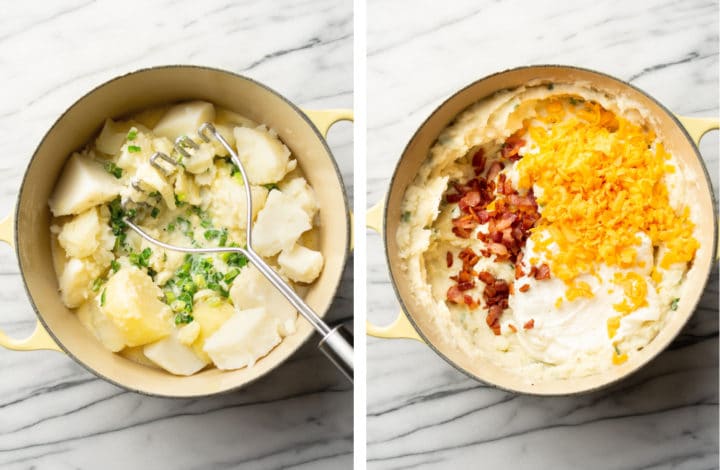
(53, 413)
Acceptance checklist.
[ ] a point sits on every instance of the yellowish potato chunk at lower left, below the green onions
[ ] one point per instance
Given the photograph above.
(132, 302)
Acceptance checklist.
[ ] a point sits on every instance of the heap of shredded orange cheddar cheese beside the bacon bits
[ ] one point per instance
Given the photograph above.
(602, 184)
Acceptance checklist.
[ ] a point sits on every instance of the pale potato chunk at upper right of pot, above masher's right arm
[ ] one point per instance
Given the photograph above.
(265, 158)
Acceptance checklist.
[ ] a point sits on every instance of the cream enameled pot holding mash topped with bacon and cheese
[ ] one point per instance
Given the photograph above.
(681, 136)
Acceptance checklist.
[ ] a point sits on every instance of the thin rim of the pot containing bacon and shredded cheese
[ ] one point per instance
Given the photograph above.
(394, 281)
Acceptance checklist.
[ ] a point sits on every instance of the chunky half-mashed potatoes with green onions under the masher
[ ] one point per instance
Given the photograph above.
(172, 310)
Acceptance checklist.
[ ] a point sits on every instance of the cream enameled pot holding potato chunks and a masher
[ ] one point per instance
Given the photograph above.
(28, 229)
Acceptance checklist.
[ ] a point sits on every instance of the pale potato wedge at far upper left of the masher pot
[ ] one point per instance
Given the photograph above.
(83, 184)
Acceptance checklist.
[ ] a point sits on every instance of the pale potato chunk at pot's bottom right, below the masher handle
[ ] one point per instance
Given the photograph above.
(246, 337)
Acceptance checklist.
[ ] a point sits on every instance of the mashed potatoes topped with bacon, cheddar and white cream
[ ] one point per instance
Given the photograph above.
(548, 231)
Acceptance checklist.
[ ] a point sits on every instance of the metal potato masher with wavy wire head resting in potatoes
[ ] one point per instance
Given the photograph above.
(336, 343)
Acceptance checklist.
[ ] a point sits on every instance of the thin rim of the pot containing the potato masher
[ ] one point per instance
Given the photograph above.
(294, 107)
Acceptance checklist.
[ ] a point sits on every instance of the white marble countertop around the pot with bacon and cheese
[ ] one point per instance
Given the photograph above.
(422, 413)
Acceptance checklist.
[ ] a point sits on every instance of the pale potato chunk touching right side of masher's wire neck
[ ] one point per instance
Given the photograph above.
(279, 224)
